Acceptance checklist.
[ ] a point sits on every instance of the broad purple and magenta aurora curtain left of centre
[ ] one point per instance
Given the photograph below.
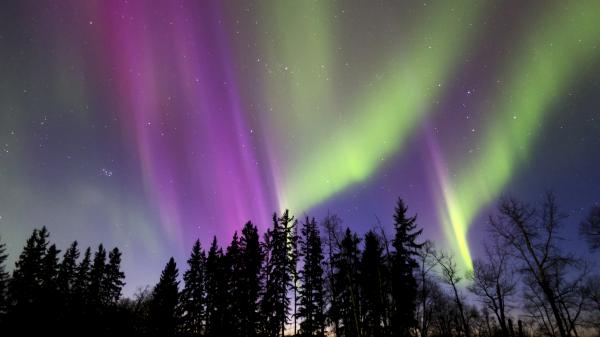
(181, 108)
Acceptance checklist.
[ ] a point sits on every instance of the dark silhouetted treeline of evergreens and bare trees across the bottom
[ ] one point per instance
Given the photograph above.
(302, 278)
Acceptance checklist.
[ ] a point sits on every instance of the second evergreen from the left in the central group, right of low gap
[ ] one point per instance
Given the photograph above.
(193, 296)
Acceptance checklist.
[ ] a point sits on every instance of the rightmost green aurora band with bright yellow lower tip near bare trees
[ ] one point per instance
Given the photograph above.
(559, 47)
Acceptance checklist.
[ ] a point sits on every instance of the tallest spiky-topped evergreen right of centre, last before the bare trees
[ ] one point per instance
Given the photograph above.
(404, 284)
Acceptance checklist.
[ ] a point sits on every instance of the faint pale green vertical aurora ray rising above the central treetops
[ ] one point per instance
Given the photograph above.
(298, 87)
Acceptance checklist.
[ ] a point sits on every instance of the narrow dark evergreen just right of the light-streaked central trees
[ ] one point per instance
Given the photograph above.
(311, 292)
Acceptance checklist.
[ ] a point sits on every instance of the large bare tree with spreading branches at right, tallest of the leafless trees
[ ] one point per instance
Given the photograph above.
(533, 235)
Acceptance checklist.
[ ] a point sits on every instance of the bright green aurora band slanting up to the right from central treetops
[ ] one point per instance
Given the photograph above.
(382, 117)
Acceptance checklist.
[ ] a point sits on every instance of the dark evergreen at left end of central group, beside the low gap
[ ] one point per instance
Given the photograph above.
(163, 318)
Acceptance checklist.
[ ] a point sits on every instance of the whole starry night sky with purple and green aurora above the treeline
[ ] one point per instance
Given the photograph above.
(148, 124)
